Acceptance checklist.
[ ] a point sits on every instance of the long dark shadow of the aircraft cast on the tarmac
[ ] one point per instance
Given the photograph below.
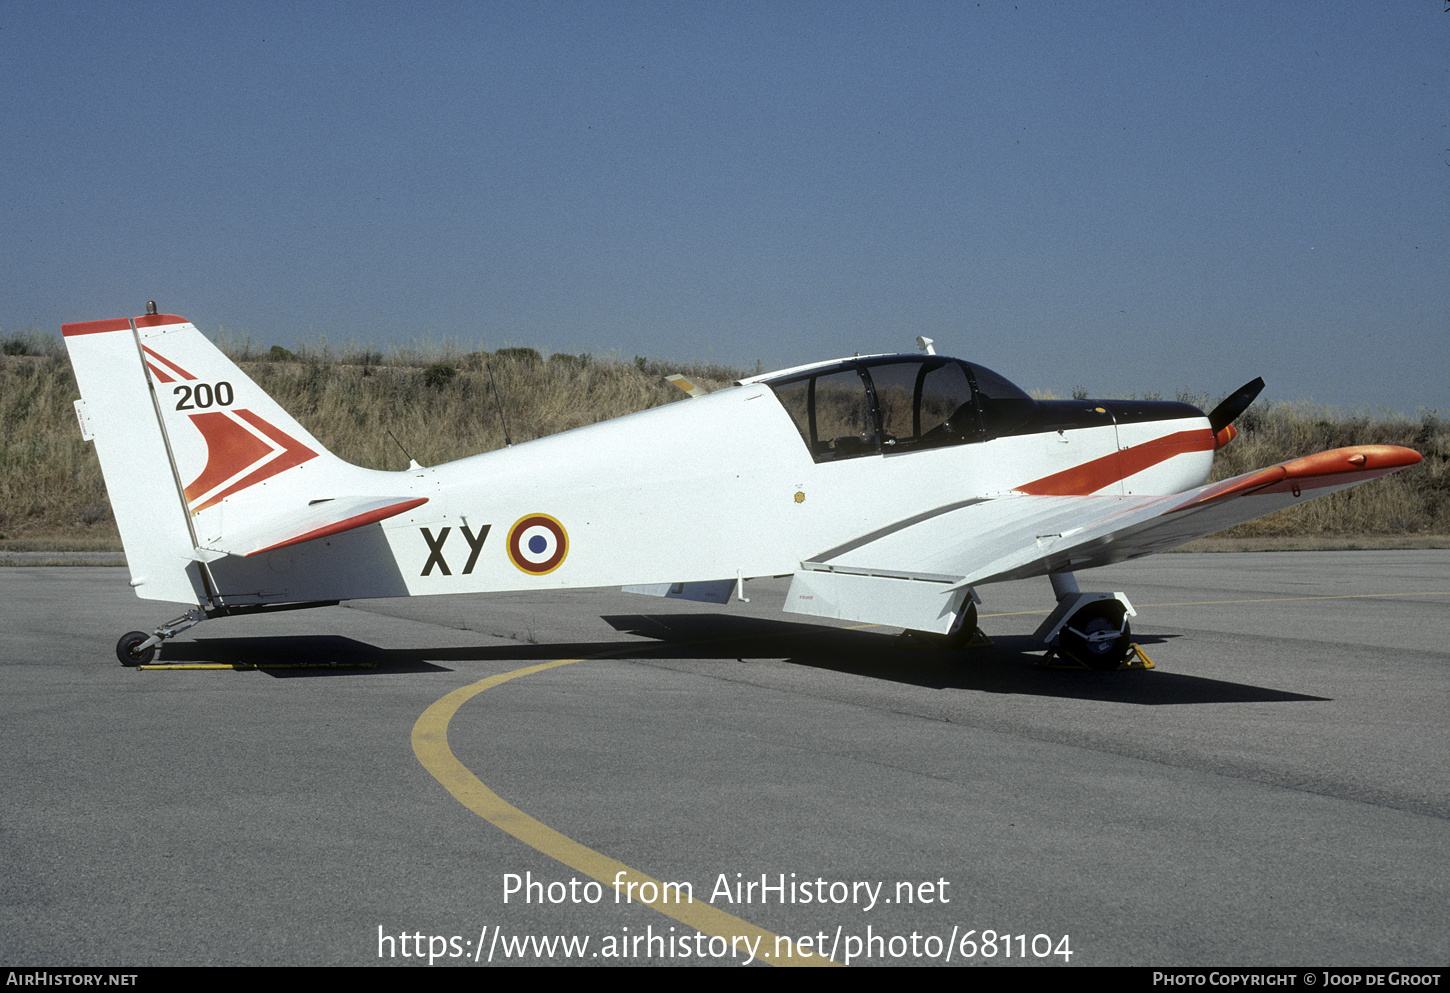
(1013, 665)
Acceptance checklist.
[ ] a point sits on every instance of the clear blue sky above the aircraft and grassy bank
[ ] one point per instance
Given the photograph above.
(1120, 196)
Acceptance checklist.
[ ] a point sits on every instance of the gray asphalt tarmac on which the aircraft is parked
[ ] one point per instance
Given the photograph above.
(1275, 792)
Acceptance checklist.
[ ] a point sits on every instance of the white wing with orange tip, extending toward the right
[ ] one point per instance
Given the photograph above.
(1019, 536)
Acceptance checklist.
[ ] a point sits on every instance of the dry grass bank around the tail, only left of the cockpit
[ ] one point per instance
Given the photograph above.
(437, 399)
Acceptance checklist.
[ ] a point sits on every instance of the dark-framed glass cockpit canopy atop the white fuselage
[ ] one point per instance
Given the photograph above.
(898, 404)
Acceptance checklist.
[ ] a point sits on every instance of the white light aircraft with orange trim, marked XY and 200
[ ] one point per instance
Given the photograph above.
(890, 488)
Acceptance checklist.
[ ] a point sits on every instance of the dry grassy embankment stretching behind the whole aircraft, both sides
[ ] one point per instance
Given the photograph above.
(440, 405)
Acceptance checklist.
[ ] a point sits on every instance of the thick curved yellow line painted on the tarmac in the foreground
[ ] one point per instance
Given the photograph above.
(431, 747)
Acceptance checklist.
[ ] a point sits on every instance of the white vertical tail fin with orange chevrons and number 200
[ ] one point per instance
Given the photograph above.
(191, 449)
